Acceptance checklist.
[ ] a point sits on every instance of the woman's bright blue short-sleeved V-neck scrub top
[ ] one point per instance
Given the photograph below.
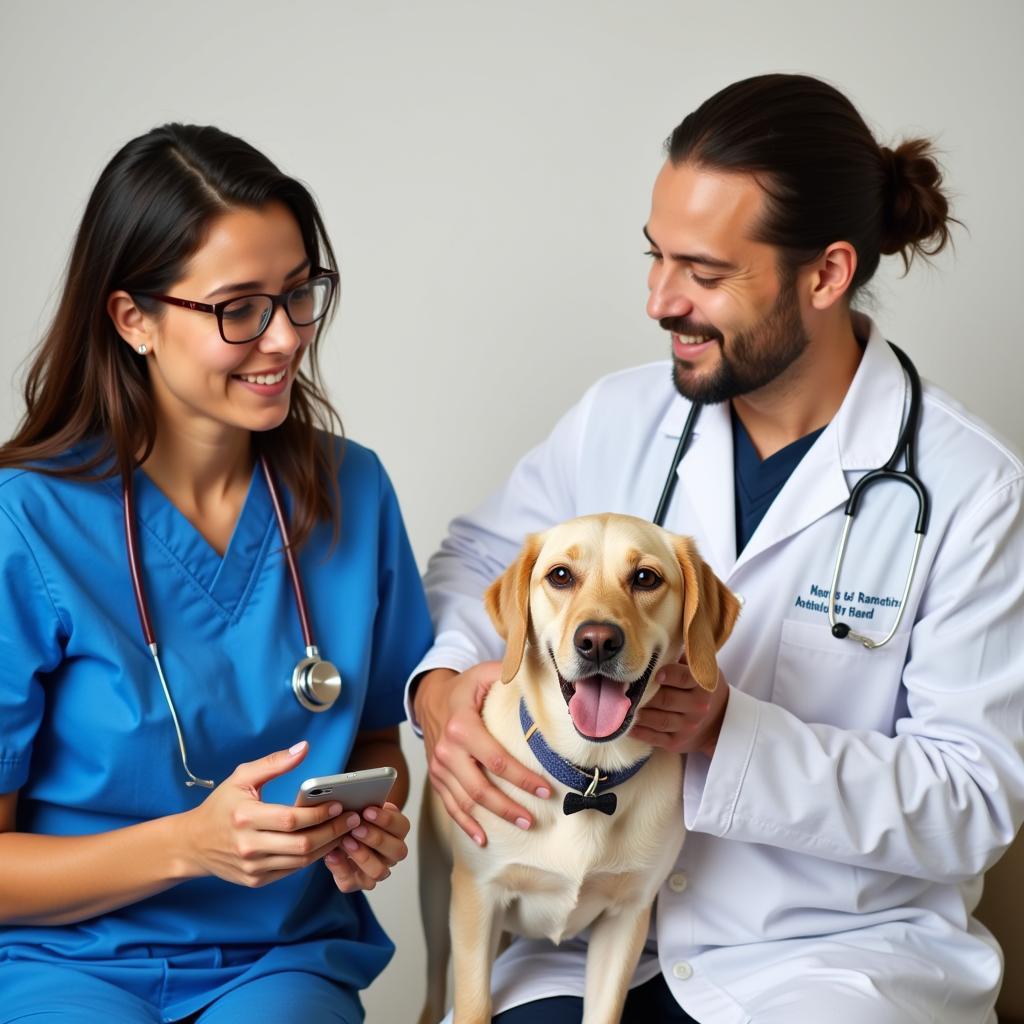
(87, 737)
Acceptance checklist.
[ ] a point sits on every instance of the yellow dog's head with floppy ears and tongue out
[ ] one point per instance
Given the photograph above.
(604, 602)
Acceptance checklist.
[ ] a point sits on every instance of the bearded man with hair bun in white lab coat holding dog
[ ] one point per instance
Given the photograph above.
(842, 802)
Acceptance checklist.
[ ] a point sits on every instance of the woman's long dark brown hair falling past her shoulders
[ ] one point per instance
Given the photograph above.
(147, 217)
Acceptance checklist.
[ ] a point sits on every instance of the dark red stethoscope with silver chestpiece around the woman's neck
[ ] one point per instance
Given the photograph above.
(316, 684)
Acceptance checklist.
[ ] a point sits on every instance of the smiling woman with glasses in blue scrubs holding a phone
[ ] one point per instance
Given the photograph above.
(184, 352)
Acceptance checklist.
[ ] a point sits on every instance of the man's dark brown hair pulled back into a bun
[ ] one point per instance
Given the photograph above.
(826, 178)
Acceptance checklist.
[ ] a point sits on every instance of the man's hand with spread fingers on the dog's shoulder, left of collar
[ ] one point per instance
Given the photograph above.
(448, 706)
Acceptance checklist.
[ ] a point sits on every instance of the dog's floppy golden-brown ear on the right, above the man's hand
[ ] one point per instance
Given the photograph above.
(710, 611)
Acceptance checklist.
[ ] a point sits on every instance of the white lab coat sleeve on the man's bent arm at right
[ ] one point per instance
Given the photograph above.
(945, 796)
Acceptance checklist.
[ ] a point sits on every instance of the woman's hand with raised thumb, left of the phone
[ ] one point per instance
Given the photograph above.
(235, 836)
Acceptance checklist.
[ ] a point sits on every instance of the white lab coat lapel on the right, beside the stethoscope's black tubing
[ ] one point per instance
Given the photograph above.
(862, 437)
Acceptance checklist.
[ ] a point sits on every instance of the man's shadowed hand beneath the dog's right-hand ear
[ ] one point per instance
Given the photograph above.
(682, 717)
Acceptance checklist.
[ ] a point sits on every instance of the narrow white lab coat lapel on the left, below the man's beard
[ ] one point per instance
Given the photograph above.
(706, 478)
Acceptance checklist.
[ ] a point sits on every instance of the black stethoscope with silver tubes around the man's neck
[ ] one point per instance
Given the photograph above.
(905, 448)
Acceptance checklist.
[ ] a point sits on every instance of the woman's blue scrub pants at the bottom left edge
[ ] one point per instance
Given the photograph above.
(71, 997)
